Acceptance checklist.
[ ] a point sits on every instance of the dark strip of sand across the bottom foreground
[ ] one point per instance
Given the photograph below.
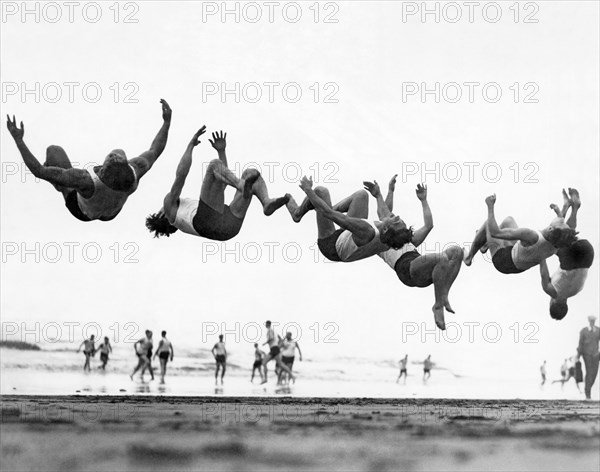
(212, 433)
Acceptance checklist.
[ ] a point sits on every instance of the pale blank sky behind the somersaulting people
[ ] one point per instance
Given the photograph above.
(374, 130)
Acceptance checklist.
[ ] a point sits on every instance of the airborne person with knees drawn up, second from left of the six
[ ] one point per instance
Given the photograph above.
(209, 216)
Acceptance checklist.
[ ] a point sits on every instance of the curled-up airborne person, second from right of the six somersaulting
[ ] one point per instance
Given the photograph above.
(514, 249)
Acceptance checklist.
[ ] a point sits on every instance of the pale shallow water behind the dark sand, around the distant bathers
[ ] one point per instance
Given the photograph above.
(57, 370)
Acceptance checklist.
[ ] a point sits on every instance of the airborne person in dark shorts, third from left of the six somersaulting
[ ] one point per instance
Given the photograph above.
(357, 238)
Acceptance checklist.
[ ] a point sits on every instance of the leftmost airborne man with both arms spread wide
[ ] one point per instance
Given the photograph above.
(99, 193)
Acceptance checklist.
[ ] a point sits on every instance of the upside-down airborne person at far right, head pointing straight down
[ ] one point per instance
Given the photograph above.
(575, 261)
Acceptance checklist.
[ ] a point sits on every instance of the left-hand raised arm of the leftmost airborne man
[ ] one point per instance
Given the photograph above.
(72, 178)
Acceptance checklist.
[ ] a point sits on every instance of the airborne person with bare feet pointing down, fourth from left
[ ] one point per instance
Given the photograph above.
(412, 268)
